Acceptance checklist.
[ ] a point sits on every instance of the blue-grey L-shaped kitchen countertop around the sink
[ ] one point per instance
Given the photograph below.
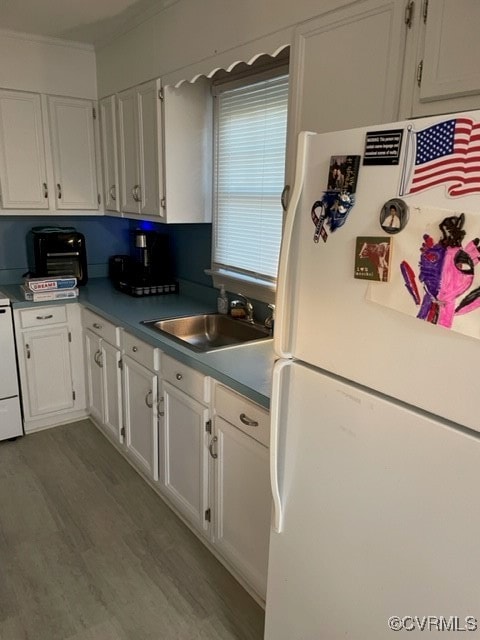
(246, 368)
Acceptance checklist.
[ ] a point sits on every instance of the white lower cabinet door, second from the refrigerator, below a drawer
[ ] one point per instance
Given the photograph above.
(184, 465)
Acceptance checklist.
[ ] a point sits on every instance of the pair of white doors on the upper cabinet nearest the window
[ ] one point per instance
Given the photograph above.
(140, 149)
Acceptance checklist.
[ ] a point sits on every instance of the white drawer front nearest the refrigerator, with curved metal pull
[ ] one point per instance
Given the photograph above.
(247, 416)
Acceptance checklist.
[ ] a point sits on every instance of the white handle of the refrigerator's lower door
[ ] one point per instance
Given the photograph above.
(274, 432)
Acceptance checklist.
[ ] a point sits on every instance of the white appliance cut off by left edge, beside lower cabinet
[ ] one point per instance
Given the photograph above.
(10, 415)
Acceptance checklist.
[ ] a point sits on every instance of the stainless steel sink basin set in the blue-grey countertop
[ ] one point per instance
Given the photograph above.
(209, 331)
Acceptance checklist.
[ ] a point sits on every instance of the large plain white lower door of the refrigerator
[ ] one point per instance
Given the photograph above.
(380, 514)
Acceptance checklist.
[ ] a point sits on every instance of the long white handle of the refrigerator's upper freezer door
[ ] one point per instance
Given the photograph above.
(280, 339)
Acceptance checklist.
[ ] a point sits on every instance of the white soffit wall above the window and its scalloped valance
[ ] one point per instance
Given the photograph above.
(191, 31)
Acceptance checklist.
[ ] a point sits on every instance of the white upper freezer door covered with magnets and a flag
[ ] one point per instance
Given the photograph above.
(323, 315)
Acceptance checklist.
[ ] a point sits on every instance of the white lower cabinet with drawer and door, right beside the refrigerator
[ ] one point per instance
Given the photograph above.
(243, 502)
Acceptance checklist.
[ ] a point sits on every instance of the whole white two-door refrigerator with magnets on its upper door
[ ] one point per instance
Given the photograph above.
(375, 450)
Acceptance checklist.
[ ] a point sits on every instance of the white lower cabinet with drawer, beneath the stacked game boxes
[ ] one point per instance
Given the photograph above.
(50, 364)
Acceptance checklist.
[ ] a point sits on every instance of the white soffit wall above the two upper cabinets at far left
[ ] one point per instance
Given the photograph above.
(44, 65)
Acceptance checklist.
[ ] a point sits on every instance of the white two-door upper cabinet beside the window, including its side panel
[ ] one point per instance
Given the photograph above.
(165, 151)
